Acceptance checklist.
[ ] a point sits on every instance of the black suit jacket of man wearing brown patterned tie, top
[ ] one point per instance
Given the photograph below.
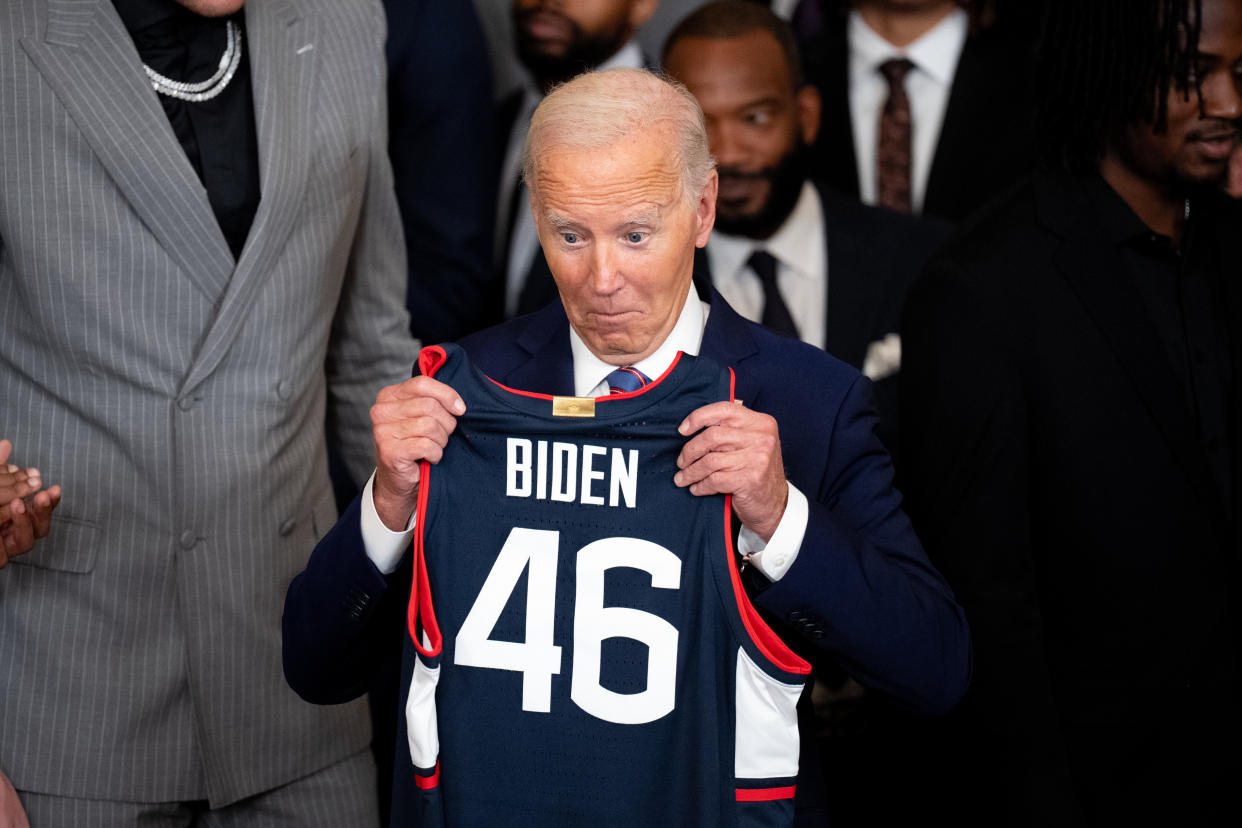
(987, 141)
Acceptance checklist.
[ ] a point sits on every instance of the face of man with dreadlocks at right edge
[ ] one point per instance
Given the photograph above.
(1195, 150)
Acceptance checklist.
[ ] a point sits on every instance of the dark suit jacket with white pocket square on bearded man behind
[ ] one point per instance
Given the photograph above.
(874, 256)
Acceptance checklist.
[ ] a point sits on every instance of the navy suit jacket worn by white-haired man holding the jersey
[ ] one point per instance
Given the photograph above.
(860, 589)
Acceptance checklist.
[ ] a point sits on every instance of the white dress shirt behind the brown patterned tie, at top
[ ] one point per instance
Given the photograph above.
(928, 85)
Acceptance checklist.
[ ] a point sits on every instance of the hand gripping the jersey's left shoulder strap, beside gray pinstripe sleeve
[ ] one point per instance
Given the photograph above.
(412, 423)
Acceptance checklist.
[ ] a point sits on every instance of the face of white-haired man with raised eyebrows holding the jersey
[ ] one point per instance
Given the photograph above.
(620, 240)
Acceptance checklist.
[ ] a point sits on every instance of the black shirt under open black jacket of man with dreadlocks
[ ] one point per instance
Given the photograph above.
(1182, 290)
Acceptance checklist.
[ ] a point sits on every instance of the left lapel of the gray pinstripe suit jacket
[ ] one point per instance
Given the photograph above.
(89, 60)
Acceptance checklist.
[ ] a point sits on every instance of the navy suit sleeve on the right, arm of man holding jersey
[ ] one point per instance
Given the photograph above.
(863, 588)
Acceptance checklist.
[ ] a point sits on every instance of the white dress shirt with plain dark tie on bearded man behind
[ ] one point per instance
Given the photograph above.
(800, 249)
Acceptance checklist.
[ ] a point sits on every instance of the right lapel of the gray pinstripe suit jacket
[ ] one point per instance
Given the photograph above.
(283, 61)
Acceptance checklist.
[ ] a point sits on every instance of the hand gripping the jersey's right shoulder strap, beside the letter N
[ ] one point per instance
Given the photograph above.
(738, 454)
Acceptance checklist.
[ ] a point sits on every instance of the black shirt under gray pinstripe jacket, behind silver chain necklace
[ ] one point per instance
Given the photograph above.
(219, 135)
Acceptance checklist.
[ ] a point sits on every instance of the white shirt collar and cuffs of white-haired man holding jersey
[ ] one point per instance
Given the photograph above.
(386, 548)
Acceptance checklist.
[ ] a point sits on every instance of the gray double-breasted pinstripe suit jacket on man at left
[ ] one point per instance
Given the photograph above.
(181, 400)
